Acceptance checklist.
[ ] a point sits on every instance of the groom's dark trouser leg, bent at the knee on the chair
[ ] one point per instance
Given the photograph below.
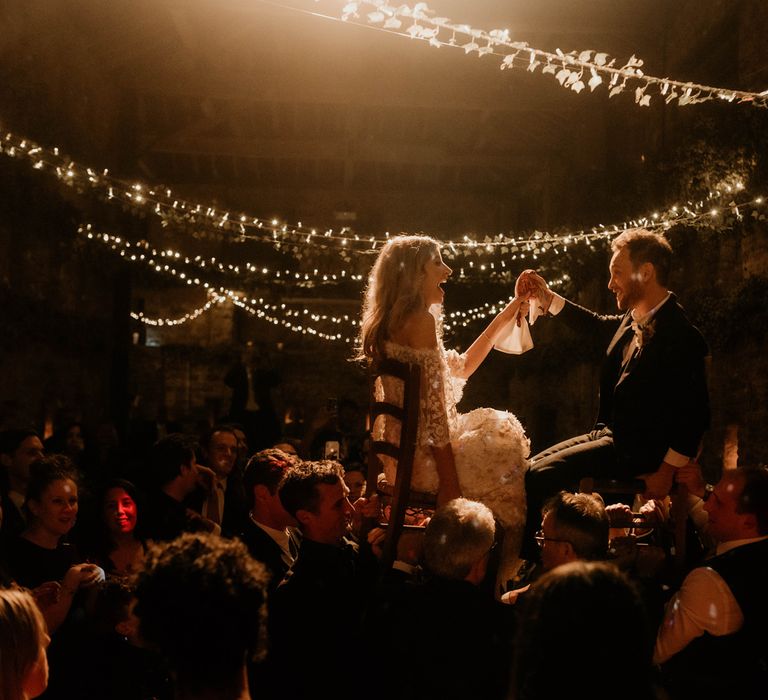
(561, 467)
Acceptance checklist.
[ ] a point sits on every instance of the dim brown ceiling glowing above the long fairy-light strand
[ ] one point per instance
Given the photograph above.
(279, 112)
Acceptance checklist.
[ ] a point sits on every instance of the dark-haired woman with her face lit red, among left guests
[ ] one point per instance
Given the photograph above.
(121, 550)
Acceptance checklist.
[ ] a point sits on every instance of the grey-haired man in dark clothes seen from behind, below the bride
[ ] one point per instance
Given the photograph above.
(446, 638)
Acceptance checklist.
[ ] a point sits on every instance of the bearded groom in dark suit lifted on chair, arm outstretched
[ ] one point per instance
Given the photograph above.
(654, 406)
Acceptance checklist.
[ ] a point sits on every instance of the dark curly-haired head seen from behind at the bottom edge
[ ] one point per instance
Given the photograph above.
(200, 601)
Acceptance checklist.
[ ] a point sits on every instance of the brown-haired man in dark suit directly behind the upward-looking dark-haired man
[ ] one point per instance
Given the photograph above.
(270, 533)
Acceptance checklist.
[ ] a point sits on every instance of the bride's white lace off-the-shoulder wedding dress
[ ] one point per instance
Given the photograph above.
(490, 447)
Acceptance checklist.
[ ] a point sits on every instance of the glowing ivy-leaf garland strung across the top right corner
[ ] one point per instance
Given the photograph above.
(575, 70)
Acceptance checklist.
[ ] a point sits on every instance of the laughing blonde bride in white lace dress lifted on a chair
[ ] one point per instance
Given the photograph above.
(480, 455)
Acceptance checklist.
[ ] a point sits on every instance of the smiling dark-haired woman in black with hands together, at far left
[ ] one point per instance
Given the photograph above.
(41, 554)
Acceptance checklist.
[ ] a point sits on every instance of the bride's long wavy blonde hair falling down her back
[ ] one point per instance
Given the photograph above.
(394, 291)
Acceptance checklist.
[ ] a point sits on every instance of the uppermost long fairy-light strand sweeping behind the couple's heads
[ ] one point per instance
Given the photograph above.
(295, 239)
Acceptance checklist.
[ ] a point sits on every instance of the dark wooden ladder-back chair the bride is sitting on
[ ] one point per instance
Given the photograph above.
(399, 494)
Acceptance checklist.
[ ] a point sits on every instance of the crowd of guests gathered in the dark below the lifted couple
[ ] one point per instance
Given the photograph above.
(211, 572)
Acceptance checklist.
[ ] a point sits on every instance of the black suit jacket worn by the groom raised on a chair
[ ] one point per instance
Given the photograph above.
(660, 400)
